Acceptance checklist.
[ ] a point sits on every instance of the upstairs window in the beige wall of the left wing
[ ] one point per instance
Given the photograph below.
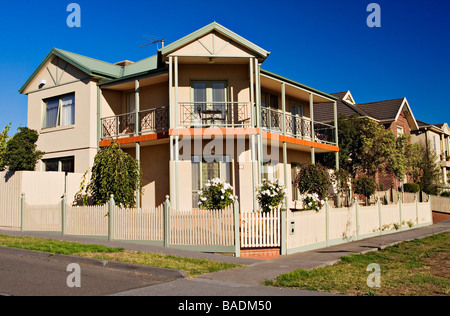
(59, 111)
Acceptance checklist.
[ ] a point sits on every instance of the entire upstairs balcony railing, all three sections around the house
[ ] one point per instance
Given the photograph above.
(216, 114)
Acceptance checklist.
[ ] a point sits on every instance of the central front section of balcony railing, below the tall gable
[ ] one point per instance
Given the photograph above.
(215, 114)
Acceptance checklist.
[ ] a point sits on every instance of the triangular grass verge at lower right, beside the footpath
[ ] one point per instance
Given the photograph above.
(415, 268)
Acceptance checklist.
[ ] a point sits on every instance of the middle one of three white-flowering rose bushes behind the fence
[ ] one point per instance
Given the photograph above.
(270, 194)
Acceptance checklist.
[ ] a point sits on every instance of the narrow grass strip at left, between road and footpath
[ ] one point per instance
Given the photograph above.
(191, 266)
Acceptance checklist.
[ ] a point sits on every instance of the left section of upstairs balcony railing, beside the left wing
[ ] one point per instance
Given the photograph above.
(150, 121)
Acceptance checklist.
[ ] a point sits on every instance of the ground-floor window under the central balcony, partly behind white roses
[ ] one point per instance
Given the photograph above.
(208, 168)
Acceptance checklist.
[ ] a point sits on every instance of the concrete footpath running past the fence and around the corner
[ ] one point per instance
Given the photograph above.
(247, 281)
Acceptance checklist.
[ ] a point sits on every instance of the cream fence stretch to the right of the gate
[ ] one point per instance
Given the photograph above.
(311, 230)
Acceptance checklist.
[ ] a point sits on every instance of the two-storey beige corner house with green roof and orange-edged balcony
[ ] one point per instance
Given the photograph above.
(201, 108)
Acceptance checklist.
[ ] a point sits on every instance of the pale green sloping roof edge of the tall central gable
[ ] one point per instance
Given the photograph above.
(219, 29)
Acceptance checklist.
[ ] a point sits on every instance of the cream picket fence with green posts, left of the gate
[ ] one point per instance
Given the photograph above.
(162, 225)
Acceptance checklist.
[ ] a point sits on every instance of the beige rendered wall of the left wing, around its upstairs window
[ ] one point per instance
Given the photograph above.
(78, 140)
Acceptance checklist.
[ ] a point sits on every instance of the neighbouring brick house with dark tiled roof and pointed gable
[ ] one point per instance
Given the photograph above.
(395, 115)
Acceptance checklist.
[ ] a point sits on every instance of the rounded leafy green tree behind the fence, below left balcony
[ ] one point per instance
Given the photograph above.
(114, 172)
